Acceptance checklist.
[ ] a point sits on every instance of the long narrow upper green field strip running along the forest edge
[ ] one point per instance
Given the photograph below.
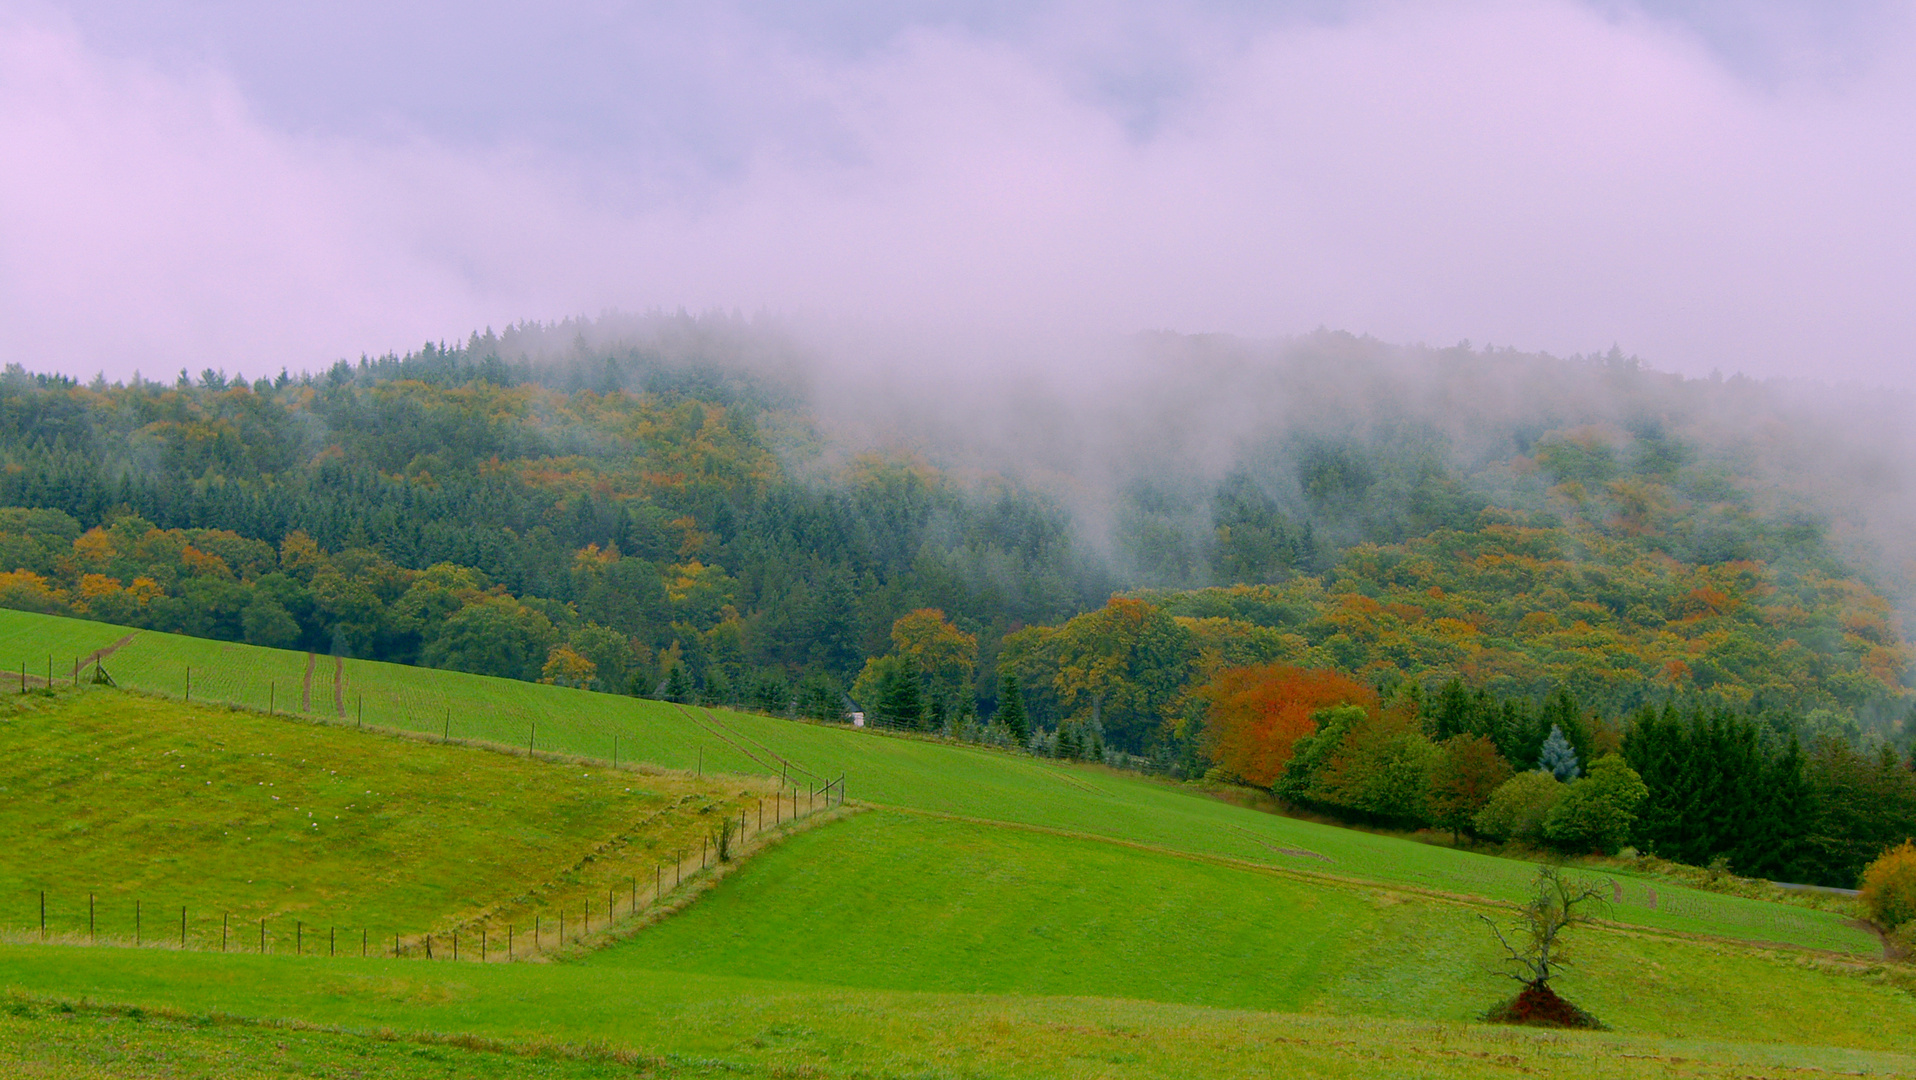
(880, 769)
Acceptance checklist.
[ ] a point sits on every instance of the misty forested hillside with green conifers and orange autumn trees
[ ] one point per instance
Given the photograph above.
(681, 506)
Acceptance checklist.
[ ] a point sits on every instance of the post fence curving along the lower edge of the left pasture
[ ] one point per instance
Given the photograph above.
(308, 935)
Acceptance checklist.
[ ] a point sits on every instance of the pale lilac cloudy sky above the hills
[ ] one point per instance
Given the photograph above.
(1708, 185)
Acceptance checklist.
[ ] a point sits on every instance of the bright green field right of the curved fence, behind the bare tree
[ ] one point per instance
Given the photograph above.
(907, 903)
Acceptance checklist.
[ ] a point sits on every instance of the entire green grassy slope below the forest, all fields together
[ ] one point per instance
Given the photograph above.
(997, 914)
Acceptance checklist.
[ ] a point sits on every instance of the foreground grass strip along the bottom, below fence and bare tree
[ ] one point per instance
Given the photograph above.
(679, 1024)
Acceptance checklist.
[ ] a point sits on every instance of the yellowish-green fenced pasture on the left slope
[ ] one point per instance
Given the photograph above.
(244, 817)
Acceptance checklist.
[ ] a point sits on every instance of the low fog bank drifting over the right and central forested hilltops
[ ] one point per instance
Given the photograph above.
(1135, 434)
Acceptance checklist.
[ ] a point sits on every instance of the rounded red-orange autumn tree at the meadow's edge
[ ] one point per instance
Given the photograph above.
(1256, 715)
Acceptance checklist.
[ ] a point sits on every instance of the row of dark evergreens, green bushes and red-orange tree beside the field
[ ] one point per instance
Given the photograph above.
(1697, 786)
